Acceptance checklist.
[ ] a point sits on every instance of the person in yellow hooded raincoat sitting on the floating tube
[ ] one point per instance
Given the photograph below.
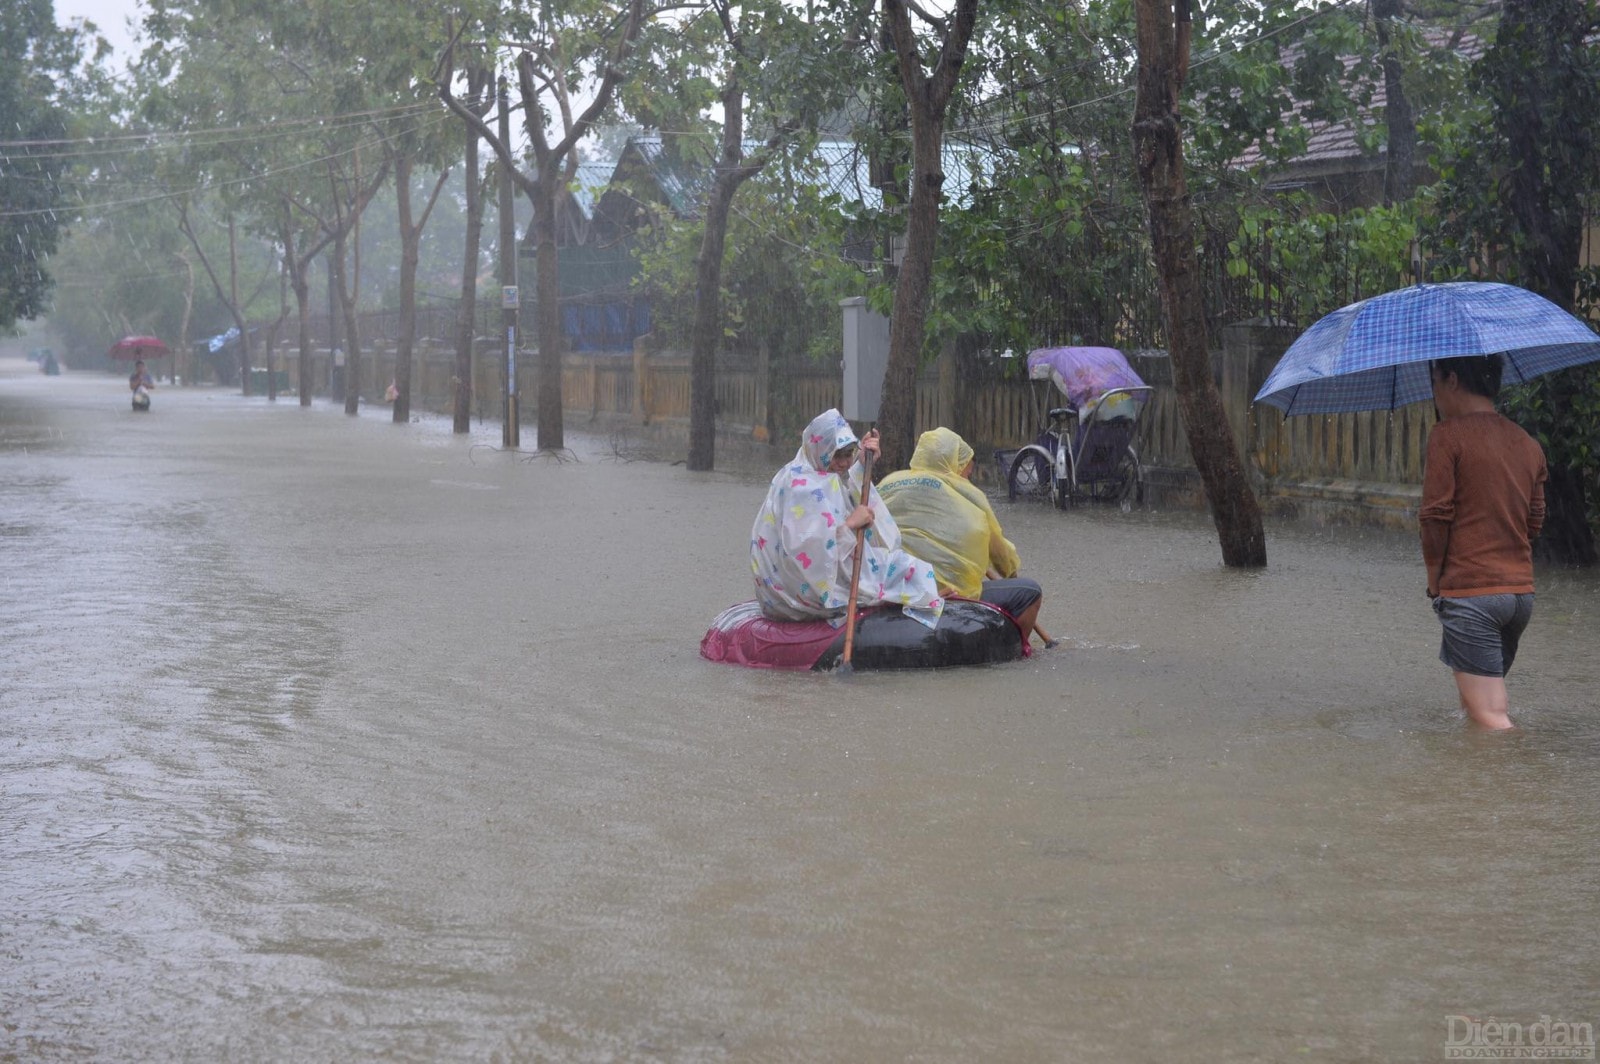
(948, 522)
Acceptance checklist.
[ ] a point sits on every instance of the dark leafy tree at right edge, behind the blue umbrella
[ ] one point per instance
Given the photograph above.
(1519, 180)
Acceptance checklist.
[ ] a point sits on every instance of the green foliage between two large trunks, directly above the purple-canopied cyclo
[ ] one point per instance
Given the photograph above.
(1049, 242)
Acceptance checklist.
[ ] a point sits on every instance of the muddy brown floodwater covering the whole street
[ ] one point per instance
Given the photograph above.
(334, 740)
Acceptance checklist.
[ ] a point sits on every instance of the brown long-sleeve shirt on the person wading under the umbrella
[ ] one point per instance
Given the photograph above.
(1482, 506)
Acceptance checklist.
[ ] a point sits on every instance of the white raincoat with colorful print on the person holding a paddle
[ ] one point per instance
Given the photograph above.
(801, 550)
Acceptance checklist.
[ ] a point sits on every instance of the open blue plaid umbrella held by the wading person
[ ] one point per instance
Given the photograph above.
(1375, 354)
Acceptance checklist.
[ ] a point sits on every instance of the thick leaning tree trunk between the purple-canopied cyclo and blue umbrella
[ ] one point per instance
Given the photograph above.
(1161, 159)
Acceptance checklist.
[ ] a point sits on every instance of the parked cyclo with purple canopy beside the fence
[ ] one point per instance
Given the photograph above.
(1084, 447)
